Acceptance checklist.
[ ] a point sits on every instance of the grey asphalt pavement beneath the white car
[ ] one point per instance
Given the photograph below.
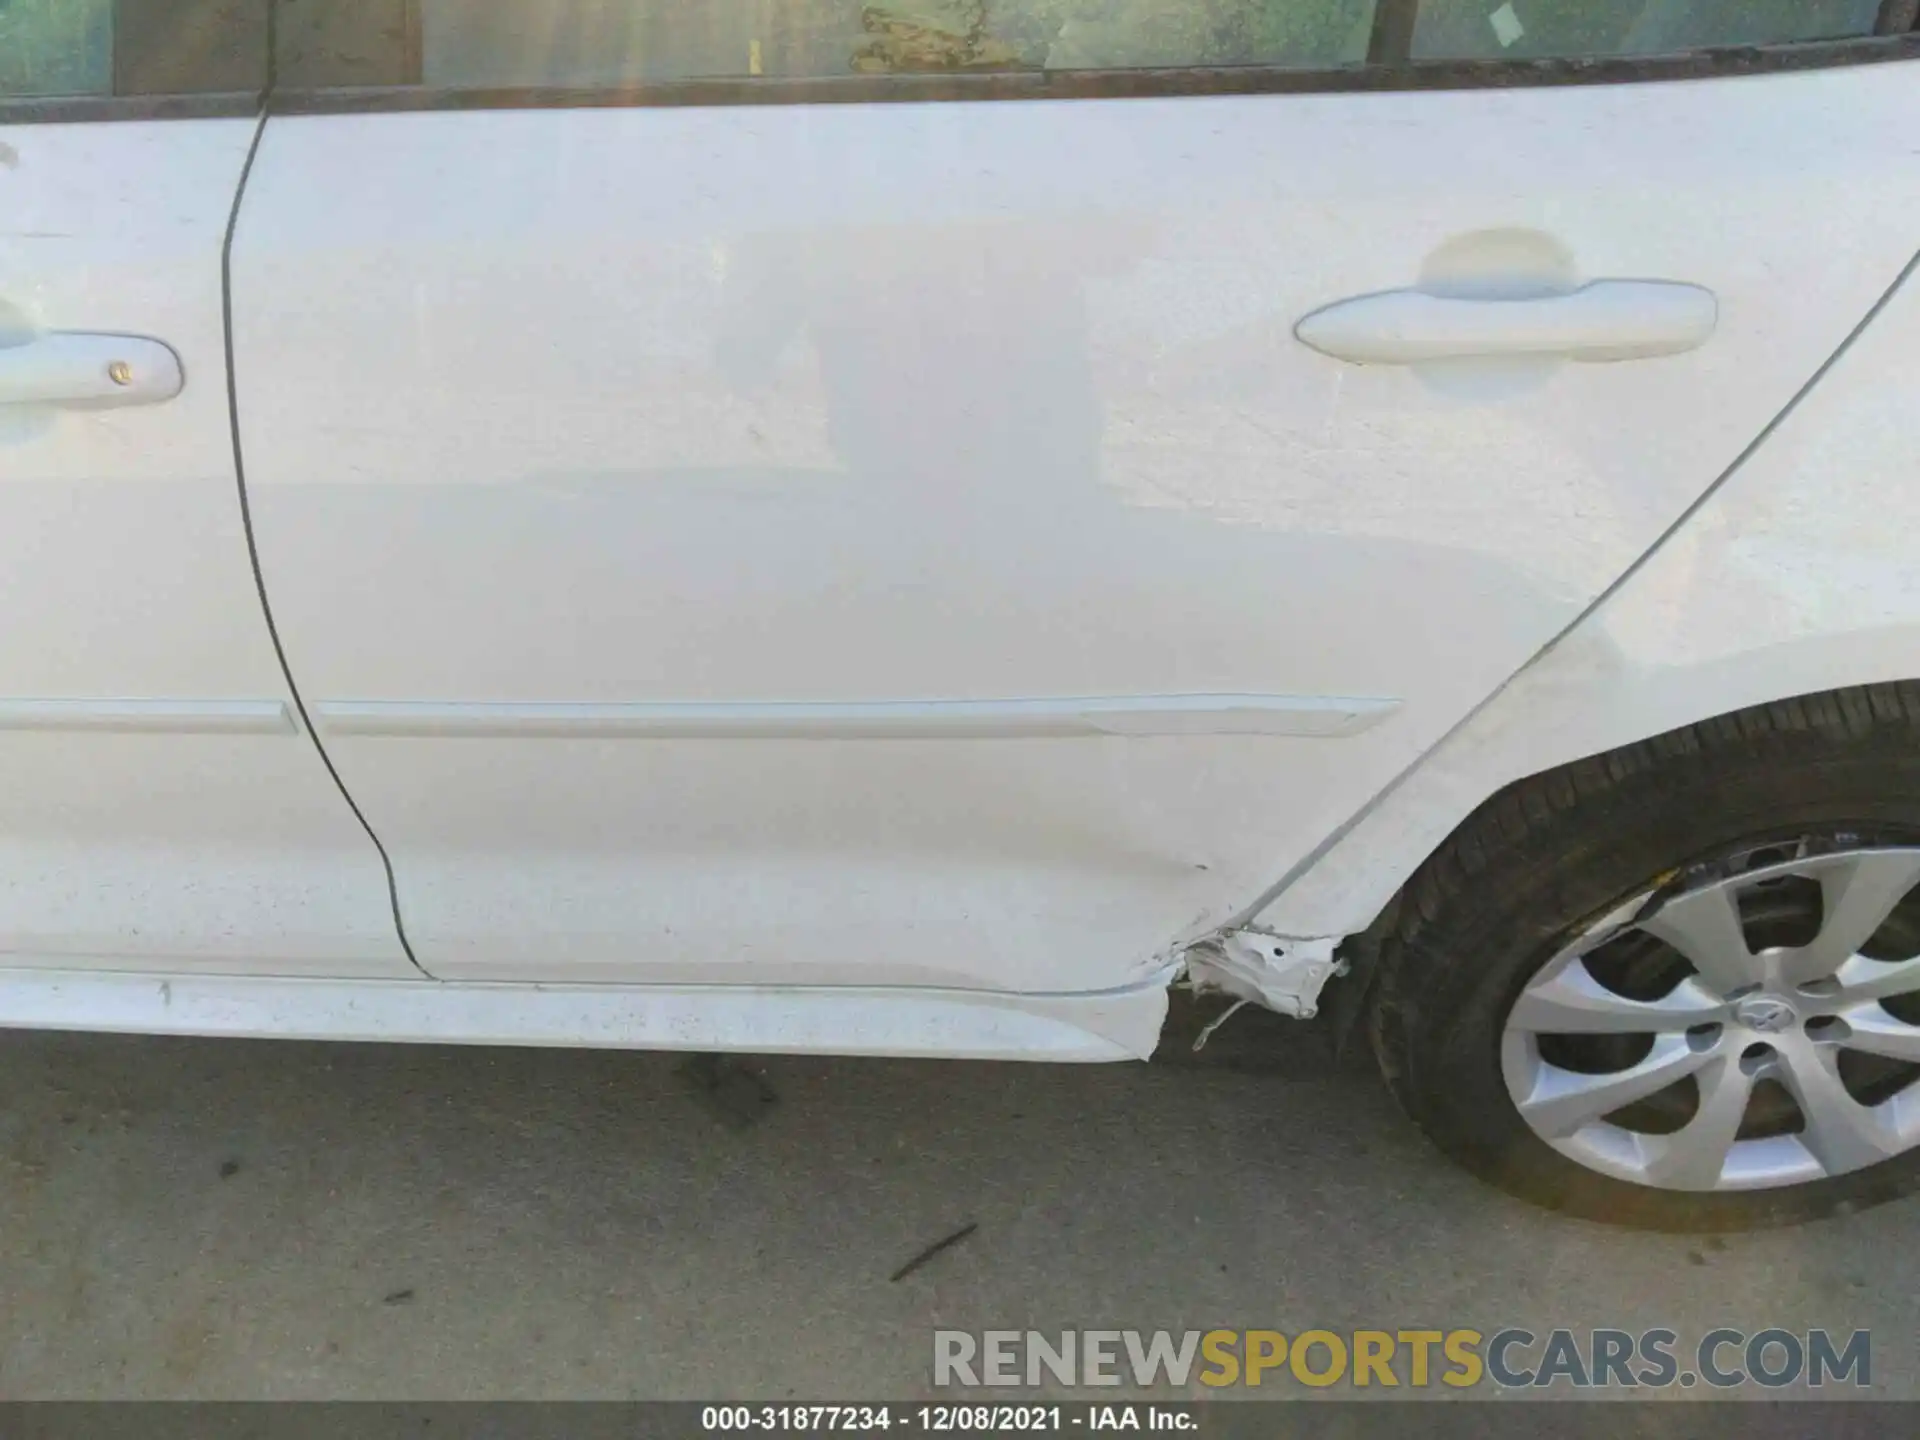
(270, 1220)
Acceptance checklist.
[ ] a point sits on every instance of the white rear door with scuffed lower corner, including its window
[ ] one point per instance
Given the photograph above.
(746, 508)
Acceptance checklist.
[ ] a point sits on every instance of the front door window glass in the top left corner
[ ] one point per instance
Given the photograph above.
(53, 49)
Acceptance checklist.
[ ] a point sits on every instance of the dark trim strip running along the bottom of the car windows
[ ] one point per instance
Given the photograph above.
(1372, 78)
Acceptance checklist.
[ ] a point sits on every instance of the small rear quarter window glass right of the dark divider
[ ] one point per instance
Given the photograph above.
(1518, 30)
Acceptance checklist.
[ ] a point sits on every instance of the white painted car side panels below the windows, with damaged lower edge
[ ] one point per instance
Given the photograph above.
(888, 577)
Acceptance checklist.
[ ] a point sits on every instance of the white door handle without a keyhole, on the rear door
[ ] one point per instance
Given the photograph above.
(1600, 322)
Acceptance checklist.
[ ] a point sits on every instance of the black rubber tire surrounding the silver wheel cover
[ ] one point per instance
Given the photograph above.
(1550, 855)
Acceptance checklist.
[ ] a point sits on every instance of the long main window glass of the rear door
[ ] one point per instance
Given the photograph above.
(479, 43)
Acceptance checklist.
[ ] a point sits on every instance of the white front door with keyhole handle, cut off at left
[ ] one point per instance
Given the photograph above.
(162, 807)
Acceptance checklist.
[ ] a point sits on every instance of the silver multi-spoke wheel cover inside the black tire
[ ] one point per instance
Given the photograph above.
(1785, 1015)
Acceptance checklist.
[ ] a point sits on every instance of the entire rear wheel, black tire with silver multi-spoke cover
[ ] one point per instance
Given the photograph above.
(1679, 986)
